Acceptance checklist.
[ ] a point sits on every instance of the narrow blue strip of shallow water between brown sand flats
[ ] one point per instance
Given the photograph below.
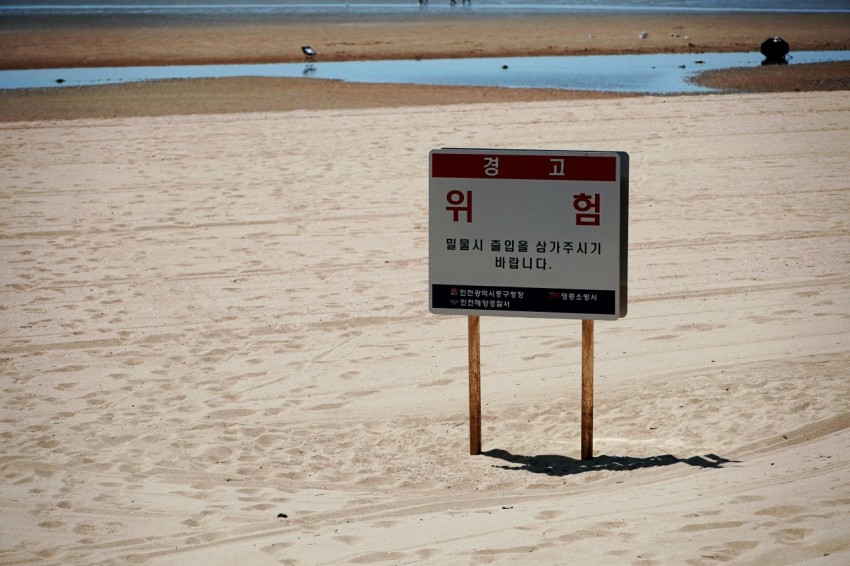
(652, 74)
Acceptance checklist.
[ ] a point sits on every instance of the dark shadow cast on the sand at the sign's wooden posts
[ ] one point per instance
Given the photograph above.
(554, 465)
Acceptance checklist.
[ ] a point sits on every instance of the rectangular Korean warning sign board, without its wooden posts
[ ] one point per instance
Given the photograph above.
(528, 233)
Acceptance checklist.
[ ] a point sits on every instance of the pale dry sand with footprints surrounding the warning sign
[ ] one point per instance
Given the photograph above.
(216, 345)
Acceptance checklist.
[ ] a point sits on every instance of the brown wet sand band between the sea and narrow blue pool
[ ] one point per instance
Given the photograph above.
(144, 40)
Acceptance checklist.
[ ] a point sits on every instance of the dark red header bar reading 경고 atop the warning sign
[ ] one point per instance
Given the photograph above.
(552, 167)
